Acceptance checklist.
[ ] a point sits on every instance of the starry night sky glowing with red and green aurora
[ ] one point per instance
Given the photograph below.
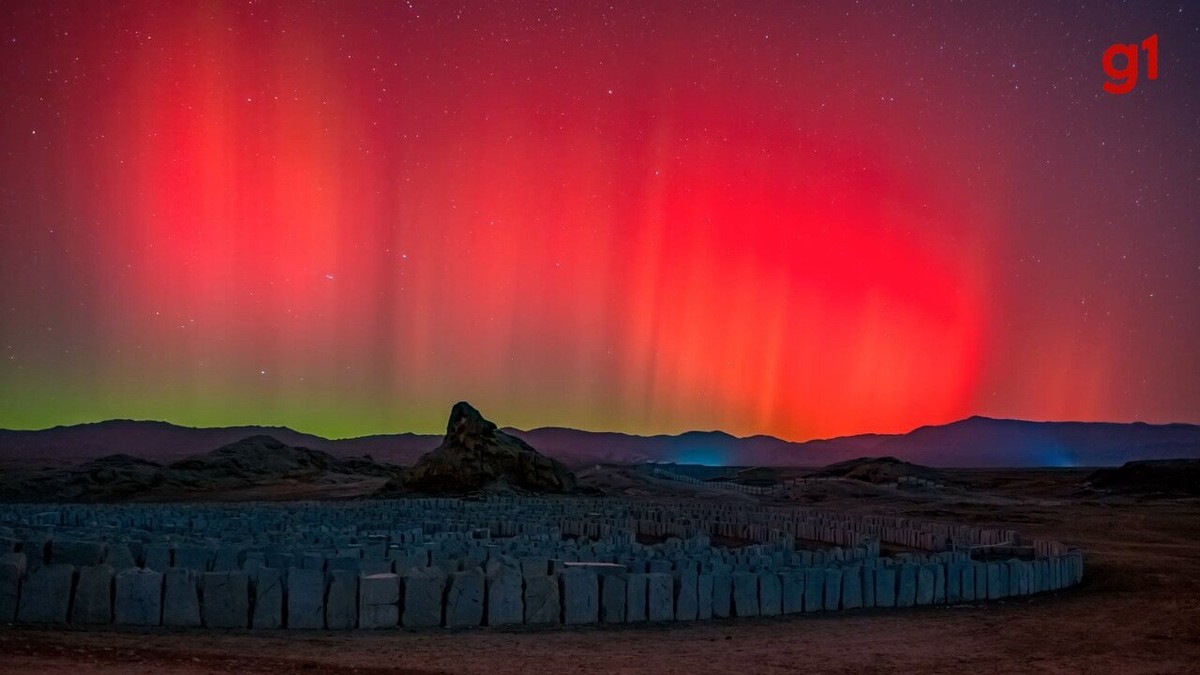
(799, 219)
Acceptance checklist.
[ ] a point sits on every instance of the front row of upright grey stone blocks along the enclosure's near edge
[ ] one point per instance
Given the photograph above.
(428, 598)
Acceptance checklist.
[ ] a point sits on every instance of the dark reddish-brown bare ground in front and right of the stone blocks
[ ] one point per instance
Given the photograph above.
(1137, 612)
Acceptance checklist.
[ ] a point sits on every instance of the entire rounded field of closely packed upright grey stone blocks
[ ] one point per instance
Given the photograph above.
(455, 564)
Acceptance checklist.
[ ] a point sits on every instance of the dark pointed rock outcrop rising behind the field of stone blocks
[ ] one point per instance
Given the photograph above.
(478, 457)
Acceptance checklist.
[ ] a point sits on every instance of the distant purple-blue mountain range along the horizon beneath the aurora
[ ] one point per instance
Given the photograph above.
(974, 443)
